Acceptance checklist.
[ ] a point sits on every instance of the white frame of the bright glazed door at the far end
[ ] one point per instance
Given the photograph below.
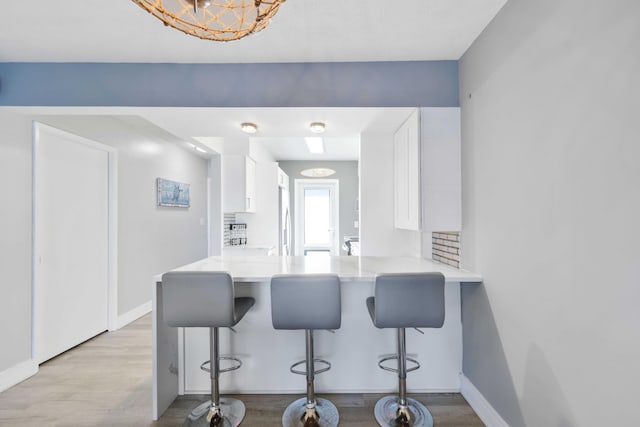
(299, 186)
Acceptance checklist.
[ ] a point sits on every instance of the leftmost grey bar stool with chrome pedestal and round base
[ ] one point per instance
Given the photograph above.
(206, 299)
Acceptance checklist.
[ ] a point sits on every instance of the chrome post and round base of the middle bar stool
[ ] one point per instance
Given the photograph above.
(310, 411)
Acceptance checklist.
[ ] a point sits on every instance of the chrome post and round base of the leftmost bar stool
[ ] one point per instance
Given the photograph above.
(217, 412)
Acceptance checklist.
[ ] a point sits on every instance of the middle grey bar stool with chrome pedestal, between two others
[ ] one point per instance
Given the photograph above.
(307, 302)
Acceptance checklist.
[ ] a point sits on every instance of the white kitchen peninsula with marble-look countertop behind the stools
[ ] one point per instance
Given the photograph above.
(353, 350)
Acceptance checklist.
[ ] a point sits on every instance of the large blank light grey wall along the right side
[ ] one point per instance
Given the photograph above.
(550, 104)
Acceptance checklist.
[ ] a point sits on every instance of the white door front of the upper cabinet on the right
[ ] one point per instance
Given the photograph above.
(406, 150)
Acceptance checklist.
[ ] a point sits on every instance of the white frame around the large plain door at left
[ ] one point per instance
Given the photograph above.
(112, 238)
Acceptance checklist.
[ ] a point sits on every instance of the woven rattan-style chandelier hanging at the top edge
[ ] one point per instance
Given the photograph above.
(221, 20)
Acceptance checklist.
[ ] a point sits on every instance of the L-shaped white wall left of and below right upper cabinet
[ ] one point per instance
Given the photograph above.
(378, 236)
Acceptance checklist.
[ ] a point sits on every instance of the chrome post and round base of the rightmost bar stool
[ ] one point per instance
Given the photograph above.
(401, 411)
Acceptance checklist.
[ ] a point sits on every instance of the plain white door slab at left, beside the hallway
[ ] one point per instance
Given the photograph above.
(71, 241)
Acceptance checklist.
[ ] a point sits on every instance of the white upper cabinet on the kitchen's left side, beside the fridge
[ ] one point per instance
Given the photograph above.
(238, 184)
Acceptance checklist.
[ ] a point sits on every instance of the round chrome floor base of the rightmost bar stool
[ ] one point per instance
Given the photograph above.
(388, 413)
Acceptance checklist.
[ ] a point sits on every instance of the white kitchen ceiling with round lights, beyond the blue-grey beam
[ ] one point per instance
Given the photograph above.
(281, 131)
